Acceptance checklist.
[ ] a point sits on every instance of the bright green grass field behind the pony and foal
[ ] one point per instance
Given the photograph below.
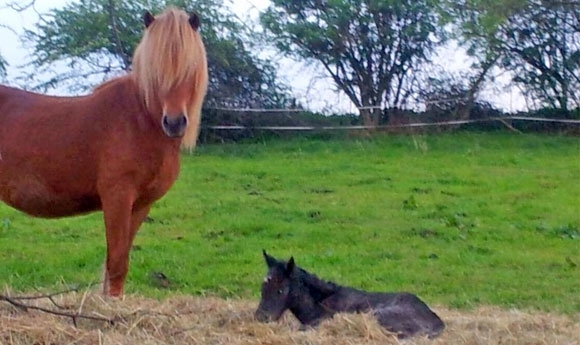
(460, 219)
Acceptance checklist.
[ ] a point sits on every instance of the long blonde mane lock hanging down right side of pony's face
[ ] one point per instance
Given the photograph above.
(194, 112)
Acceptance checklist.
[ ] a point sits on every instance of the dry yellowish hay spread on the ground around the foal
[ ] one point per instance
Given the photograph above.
(197, 320)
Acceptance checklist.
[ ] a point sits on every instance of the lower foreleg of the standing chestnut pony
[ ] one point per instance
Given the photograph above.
(122, 220)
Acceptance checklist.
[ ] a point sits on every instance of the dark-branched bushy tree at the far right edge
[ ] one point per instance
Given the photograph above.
(541, 46)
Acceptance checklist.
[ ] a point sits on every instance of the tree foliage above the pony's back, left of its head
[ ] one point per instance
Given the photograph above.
(80, 40)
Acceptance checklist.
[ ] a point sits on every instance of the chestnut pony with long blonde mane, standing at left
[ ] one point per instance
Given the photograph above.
(116, 149)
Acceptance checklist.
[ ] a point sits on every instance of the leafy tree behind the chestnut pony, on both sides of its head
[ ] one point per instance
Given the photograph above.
(87, 41)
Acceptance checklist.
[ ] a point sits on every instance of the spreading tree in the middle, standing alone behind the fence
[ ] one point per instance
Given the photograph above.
(370, 48)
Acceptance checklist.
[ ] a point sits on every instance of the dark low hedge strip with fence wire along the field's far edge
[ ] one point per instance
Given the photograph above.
(232, 125)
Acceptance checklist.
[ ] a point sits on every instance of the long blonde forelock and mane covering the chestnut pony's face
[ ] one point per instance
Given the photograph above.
(171, 53)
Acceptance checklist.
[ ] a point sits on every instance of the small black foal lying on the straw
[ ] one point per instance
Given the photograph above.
(312, 300)
